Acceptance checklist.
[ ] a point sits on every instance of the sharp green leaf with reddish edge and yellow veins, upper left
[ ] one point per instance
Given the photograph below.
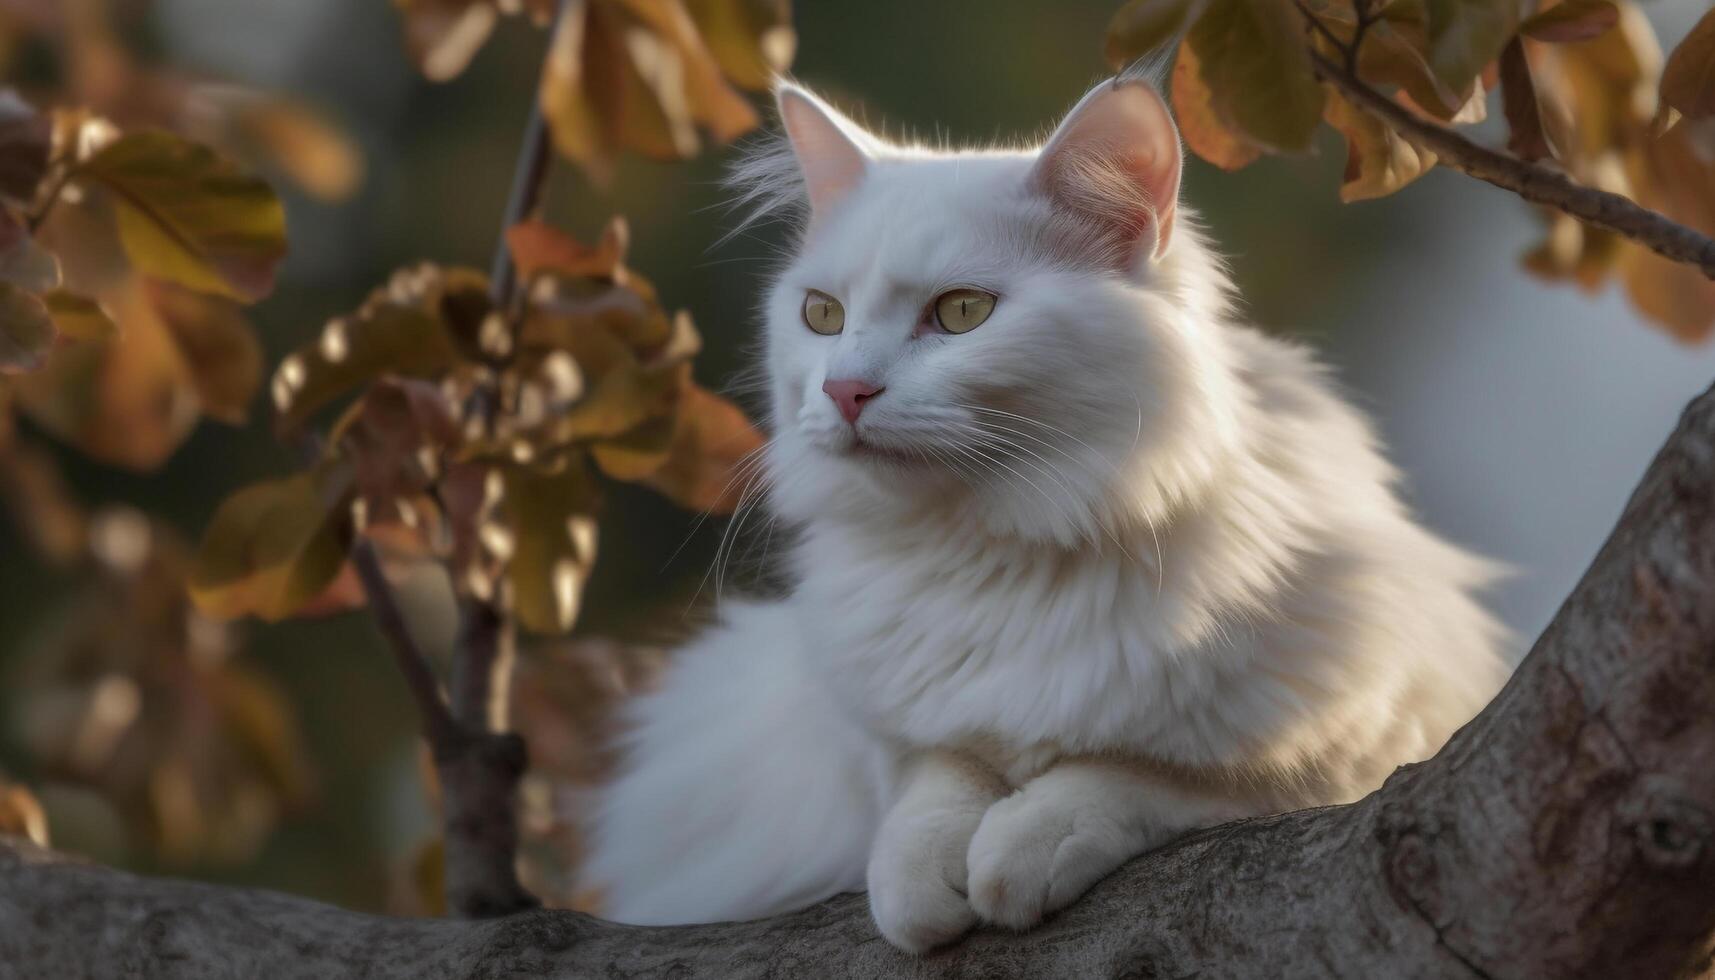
(190, 217)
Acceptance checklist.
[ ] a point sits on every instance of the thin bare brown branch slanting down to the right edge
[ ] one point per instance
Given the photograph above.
(1532, 183)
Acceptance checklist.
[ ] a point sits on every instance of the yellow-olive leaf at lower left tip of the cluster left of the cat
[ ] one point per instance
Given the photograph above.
(274, 547)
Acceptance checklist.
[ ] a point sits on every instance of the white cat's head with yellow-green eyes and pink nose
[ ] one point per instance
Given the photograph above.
(1020, 337)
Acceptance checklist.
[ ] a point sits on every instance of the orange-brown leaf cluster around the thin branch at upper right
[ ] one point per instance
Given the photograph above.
(1584, 92)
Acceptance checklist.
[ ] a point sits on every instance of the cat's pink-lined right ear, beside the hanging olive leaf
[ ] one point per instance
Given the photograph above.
(1116, 162)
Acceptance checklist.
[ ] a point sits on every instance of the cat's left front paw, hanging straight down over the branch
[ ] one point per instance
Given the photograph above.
(917, 881)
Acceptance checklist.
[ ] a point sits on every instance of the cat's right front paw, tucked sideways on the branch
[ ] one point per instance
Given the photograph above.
(1037, 854)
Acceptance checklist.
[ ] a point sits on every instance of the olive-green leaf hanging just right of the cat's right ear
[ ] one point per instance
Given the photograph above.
(1258, 71)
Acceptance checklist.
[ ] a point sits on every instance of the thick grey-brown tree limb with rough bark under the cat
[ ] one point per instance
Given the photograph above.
(1568, 832)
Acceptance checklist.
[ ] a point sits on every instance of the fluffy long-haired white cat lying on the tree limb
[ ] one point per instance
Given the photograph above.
(1083, 562)
